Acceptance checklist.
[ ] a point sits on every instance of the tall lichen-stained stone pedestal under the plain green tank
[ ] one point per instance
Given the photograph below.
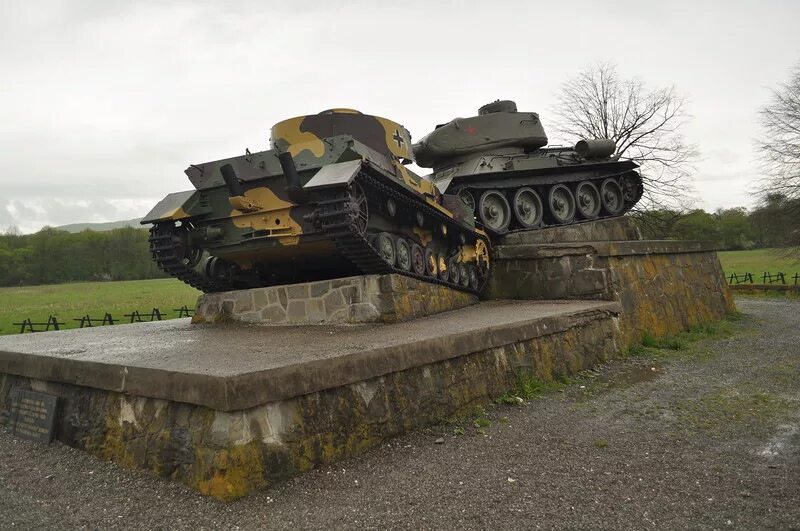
(664, 287)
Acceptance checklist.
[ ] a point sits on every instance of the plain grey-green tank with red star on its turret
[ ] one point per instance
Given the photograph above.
(498, 164)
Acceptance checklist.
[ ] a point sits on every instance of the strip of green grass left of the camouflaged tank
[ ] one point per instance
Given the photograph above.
(69, 301)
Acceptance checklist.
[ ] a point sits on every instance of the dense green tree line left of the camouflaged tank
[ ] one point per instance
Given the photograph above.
(52, 256)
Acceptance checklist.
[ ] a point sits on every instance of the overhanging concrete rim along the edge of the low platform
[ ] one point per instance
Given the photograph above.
(251, 389)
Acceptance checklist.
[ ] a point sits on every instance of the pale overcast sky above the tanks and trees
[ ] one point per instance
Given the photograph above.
(104, 103)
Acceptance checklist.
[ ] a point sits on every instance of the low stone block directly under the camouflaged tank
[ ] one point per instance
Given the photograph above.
(362, 299)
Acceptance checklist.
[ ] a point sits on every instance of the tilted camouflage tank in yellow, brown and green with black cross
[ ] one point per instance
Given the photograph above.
(331, 198)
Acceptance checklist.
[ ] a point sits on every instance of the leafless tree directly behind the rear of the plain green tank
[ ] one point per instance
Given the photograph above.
(645, 124)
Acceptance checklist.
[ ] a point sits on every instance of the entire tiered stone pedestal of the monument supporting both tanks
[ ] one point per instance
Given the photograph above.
(229, 409)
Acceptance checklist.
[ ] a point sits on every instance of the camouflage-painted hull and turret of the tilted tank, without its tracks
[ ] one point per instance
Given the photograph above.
(259, 227)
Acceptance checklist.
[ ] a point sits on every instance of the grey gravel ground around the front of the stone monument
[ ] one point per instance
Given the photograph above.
(706, 437)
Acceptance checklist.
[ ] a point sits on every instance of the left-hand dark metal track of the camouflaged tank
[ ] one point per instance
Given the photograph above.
(167, 250)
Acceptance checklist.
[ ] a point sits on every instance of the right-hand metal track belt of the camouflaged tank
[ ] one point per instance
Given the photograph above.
(339, 222)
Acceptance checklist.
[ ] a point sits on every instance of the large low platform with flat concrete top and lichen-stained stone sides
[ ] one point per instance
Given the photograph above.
(227, 409)
